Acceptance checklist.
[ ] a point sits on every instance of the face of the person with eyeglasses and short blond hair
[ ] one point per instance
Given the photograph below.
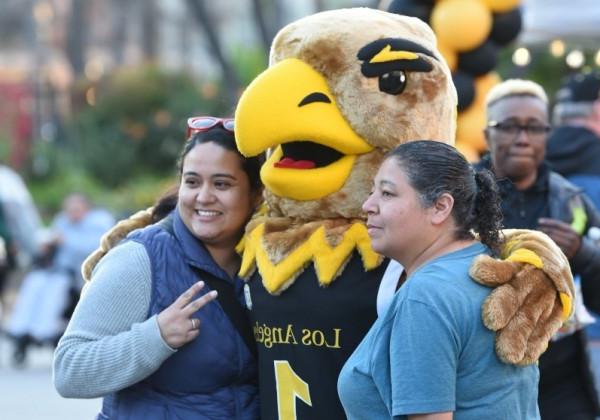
(517, 156)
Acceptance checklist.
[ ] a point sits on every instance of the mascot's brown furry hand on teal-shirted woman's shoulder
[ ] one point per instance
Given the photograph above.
(533, 294)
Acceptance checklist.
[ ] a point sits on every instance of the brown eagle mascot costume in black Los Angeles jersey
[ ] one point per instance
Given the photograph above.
(343, 88)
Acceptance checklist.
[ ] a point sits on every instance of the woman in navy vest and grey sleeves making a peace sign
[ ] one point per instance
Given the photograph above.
(150, 334)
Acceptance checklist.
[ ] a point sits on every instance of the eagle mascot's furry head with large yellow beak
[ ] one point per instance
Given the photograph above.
(343, 87)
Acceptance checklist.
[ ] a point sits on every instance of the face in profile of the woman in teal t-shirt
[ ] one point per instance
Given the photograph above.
(397, 222)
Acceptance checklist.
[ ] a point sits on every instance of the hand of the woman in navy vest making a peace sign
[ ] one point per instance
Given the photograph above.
(176, 324)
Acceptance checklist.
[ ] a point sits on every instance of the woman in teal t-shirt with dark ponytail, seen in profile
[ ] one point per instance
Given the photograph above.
(430, 356)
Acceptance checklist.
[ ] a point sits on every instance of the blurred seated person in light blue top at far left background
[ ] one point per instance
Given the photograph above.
(38, 315)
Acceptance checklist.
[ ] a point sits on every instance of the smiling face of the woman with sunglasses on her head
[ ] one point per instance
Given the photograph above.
(215, 199)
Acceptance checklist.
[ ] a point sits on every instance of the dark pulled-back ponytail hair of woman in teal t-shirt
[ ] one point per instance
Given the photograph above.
(433, 168)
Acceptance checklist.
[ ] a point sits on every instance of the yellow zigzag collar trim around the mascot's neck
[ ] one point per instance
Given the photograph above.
(328, 261)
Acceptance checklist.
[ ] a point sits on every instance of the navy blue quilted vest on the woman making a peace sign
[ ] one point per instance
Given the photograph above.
(212, 377)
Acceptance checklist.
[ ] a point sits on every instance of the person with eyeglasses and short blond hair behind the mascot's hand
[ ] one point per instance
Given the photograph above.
(534, 197)
